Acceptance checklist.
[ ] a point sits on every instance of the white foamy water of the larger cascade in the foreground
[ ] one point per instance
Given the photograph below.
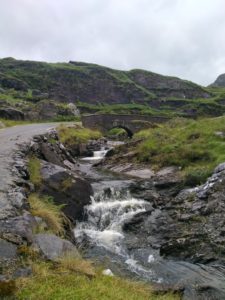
(106, 217)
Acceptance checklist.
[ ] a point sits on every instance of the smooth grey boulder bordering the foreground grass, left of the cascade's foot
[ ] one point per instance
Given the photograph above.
(52, 247)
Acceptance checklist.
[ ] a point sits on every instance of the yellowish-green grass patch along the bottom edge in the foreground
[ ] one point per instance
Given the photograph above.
(52, 282)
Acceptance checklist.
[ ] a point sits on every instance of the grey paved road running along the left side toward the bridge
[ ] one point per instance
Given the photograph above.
(10, 139)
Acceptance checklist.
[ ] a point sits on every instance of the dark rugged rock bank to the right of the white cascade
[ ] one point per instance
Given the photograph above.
(189, 226)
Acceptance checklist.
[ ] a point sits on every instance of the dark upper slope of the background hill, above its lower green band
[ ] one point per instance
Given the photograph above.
(69, 82)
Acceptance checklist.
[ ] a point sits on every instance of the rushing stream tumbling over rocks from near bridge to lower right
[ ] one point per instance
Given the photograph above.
(103, 238)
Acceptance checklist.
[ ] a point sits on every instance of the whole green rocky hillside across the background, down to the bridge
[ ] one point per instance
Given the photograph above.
(43, 90)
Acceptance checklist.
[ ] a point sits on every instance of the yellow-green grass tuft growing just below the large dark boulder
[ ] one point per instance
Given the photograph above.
(51, 213)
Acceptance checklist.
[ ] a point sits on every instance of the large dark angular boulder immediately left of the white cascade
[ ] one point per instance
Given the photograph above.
(66, 188)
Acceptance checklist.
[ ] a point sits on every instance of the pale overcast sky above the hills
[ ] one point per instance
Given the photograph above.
(184, 38)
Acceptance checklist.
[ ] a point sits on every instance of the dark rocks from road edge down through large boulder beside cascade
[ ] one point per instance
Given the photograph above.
(59, 178)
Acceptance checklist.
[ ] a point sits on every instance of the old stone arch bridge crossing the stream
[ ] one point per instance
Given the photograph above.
(131, 123)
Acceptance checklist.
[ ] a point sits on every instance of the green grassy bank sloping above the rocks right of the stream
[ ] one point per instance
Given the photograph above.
(194, 146)
